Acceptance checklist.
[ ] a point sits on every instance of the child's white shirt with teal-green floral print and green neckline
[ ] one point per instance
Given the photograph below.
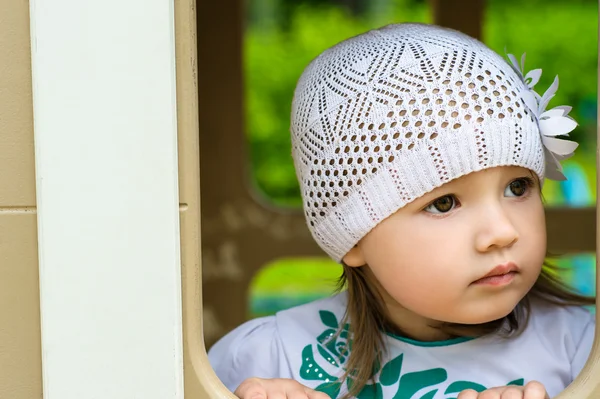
(295, 343)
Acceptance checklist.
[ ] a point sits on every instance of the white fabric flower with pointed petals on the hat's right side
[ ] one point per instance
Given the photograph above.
(553, 122)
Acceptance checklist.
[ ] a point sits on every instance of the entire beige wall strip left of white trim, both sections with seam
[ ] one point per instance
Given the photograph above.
(20, 352)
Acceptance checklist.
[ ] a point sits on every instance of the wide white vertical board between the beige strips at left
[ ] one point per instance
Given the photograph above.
(107, 195)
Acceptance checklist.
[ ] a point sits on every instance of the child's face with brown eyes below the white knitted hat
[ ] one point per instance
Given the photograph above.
(427, 258)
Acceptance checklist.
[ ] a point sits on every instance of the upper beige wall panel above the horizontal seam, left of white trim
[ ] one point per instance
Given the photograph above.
(17, 184)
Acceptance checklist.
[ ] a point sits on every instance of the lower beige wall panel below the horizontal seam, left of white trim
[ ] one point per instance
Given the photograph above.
(20, 353)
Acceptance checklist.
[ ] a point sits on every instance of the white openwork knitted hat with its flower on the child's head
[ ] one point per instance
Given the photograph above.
(382, 118)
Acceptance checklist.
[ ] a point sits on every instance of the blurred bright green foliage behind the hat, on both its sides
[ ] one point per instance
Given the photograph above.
(559, 37)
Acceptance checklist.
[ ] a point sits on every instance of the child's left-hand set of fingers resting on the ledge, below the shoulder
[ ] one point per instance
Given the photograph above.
(276, 388)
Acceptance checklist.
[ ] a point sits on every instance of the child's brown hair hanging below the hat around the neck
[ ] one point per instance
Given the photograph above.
(369, 320)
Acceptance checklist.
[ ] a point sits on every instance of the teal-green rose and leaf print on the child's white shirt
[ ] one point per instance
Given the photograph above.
(334, 350)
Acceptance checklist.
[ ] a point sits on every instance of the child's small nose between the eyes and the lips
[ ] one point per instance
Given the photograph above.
(496, 230)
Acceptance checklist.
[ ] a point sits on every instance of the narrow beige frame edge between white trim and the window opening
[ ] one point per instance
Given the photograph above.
(199, 378)
